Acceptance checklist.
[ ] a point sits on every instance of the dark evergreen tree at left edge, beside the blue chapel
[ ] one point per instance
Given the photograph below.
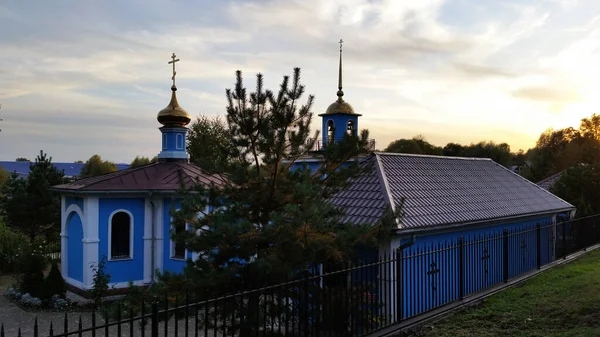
(21, 196)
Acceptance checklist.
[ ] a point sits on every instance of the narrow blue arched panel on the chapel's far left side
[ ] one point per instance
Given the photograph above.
(75, 247)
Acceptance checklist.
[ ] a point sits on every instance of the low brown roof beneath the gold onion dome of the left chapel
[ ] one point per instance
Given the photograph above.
(161, 176)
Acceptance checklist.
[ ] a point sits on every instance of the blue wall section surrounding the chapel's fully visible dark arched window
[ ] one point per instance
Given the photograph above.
(123, 270)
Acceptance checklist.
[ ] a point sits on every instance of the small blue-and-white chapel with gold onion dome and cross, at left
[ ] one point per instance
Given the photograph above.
(125, 216)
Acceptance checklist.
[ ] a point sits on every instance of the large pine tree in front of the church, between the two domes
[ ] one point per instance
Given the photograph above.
(272, 223)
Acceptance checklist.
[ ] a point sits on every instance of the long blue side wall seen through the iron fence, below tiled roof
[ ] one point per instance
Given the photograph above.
(432, 266)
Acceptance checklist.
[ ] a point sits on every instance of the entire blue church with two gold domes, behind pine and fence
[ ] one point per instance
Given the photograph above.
(125, 216)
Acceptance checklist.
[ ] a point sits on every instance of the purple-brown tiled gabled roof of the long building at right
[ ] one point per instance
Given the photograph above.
(441, 191)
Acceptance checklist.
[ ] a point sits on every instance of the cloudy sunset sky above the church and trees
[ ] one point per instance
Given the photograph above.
(88, 77)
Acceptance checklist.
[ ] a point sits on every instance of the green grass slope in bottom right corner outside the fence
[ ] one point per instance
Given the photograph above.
(564, 301)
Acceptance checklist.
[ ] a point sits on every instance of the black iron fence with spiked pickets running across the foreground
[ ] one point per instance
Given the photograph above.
(354, 301)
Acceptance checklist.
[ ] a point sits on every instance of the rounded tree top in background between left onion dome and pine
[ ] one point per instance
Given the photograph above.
(209, 143)
